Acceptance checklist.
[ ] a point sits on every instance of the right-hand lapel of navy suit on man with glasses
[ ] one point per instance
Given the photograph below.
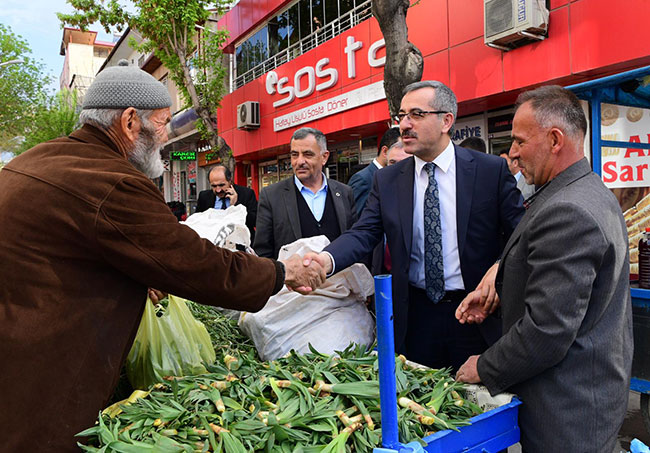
(465, 183)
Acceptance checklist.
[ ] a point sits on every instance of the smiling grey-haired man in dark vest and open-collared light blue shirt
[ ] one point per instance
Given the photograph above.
(306, 205)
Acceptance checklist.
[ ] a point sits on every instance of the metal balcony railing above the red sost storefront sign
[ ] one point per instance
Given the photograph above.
(325, 33)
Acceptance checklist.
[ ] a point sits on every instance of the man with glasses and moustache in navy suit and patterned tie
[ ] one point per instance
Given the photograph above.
(475, 203)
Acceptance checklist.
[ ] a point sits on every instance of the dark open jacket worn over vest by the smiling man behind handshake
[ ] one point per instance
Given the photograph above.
(278, 222)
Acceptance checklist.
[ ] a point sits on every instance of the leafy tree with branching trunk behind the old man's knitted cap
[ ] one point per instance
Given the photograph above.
(173, 30)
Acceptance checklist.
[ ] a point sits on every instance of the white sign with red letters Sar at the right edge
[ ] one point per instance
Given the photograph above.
(625, 167)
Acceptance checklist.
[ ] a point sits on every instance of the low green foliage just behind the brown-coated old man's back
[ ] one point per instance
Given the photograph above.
(56, 119)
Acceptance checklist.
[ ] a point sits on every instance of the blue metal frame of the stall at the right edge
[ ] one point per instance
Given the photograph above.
(630, 89)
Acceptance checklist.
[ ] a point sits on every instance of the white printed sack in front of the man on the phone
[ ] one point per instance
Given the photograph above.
(223, 227)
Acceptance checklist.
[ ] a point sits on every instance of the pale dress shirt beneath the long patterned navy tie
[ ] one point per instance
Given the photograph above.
(446, 178)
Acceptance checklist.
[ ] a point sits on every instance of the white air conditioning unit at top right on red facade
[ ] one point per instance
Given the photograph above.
(513, 23)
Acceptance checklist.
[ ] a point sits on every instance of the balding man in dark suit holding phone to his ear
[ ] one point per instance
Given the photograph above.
(225, 193)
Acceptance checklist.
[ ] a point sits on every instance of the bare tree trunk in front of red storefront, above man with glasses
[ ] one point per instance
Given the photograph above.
(404, 62)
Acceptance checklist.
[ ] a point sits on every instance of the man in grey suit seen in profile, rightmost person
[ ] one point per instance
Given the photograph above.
(563, 283)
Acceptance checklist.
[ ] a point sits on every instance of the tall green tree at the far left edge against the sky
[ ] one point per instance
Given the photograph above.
(22, 88)
